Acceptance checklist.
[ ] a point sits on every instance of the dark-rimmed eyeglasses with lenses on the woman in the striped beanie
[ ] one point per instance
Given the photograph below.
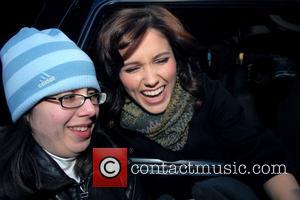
(77, 100)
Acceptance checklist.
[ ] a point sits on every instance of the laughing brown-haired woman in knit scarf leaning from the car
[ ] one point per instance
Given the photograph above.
(162, 106)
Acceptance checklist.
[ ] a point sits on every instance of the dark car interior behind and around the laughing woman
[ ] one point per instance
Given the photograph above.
(252, 48)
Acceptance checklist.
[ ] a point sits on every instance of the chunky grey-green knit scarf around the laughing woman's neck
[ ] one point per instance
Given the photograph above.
(169, 129)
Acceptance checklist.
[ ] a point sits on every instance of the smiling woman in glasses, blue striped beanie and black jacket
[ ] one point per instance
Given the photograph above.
(53, 98)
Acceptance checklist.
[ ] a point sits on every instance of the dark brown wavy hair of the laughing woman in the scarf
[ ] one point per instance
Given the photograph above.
(125, 28)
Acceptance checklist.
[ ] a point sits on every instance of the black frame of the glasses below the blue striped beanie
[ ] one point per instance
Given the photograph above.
(62, 99)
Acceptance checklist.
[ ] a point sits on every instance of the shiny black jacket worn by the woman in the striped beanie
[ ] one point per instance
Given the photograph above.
(52, 183)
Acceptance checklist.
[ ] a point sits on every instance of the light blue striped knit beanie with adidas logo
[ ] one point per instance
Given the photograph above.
(37, 64)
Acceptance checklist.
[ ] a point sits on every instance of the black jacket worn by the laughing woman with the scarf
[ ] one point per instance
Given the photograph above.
(218, 131)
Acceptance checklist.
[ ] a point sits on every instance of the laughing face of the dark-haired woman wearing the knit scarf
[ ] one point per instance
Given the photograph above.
(149, 74)
